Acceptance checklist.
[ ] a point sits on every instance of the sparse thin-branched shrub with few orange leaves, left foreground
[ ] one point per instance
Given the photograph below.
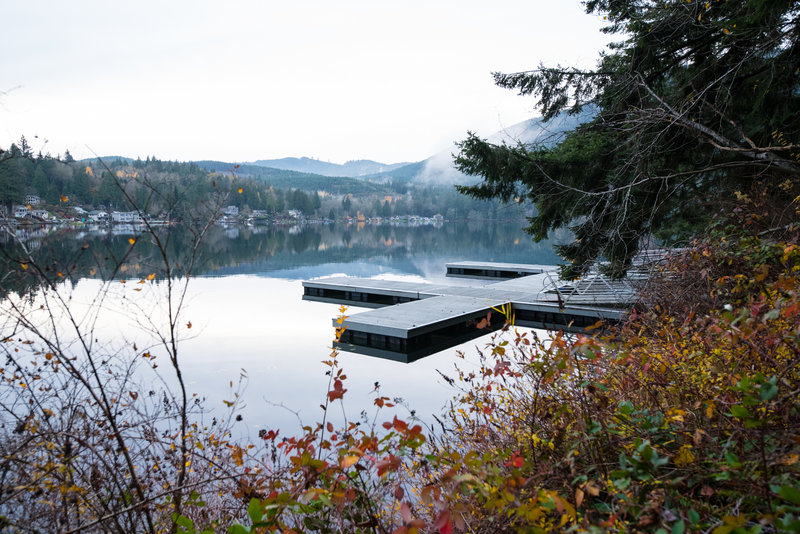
(98, 431)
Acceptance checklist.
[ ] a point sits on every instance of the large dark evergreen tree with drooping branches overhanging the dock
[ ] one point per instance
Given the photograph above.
(696, 102)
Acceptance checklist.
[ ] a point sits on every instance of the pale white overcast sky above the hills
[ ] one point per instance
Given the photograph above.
(244, 80)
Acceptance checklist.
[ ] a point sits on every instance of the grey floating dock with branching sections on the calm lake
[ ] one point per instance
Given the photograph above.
(416, 319)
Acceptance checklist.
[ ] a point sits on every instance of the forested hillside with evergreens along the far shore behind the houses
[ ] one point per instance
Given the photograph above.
(166, 188)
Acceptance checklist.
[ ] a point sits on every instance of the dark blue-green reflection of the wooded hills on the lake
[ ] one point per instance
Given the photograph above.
(284, 252)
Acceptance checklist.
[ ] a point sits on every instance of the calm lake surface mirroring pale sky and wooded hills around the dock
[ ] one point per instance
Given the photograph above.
(248, 318)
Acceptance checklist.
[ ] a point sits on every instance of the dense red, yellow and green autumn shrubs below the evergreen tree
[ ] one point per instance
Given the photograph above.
(677, 422)
